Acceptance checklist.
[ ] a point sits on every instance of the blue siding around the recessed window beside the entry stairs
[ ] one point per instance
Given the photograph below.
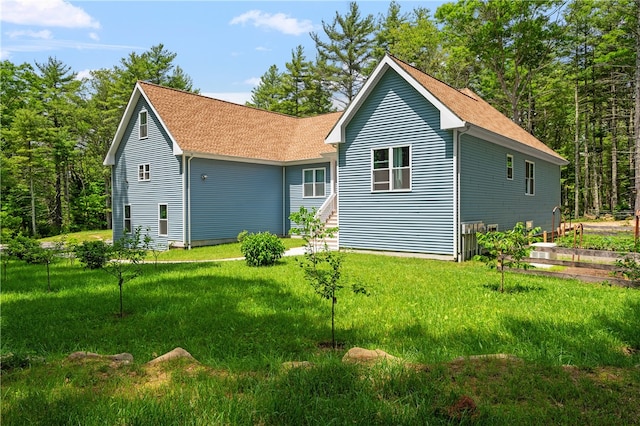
(294, 195)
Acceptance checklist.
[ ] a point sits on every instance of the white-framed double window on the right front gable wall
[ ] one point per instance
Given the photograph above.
(391, 169)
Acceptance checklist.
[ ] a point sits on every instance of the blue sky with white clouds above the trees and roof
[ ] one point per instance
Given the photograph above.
(225, 46)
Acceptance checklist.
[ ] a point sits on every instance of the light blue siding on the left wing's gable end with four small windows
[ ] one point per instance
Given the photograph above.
(165, 185)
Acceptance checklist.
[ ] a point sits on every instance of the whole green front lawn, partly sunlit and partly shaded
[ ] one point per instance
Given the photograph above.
(577, 344)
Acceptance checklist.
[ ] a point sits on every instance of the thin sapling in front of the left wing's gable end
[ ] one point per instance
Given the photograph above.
(125, 259)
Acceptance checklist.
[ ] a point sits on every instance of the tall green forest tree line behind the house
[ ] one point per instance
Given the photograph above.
(566, 71)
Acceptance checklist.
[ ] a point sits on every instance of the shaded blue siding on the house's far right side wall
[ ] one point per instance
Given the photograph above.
(488, 196)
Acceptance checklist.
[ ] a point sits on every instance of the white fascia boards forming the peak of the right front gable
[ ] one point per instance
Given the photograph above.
(448, 120)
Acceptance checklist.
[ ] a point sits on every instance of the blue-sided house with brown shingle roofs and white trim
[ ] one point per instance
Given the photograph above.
(412, 165)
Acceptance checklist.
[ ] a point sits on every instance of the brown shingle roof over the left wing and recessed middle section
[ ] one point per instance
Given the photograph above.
(205, 125)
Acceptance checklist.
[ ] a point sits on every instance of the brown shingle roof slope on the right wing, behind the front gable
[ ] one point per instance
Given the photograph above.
(471, 108)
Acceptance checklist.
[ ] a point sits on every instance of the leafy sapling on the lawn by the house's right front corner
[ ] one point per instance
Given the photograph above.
(507, 248)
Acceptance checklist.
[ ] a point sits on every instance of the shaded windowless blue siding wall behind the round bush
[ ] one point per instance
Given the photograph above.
(234, 197)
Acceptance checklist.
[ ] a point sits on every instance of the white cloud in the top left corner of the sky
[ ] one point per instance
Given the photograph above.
(53, 13)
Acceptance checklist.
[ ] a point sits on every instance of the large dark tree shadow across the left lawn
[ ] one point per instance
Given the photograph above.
(221, 316)
